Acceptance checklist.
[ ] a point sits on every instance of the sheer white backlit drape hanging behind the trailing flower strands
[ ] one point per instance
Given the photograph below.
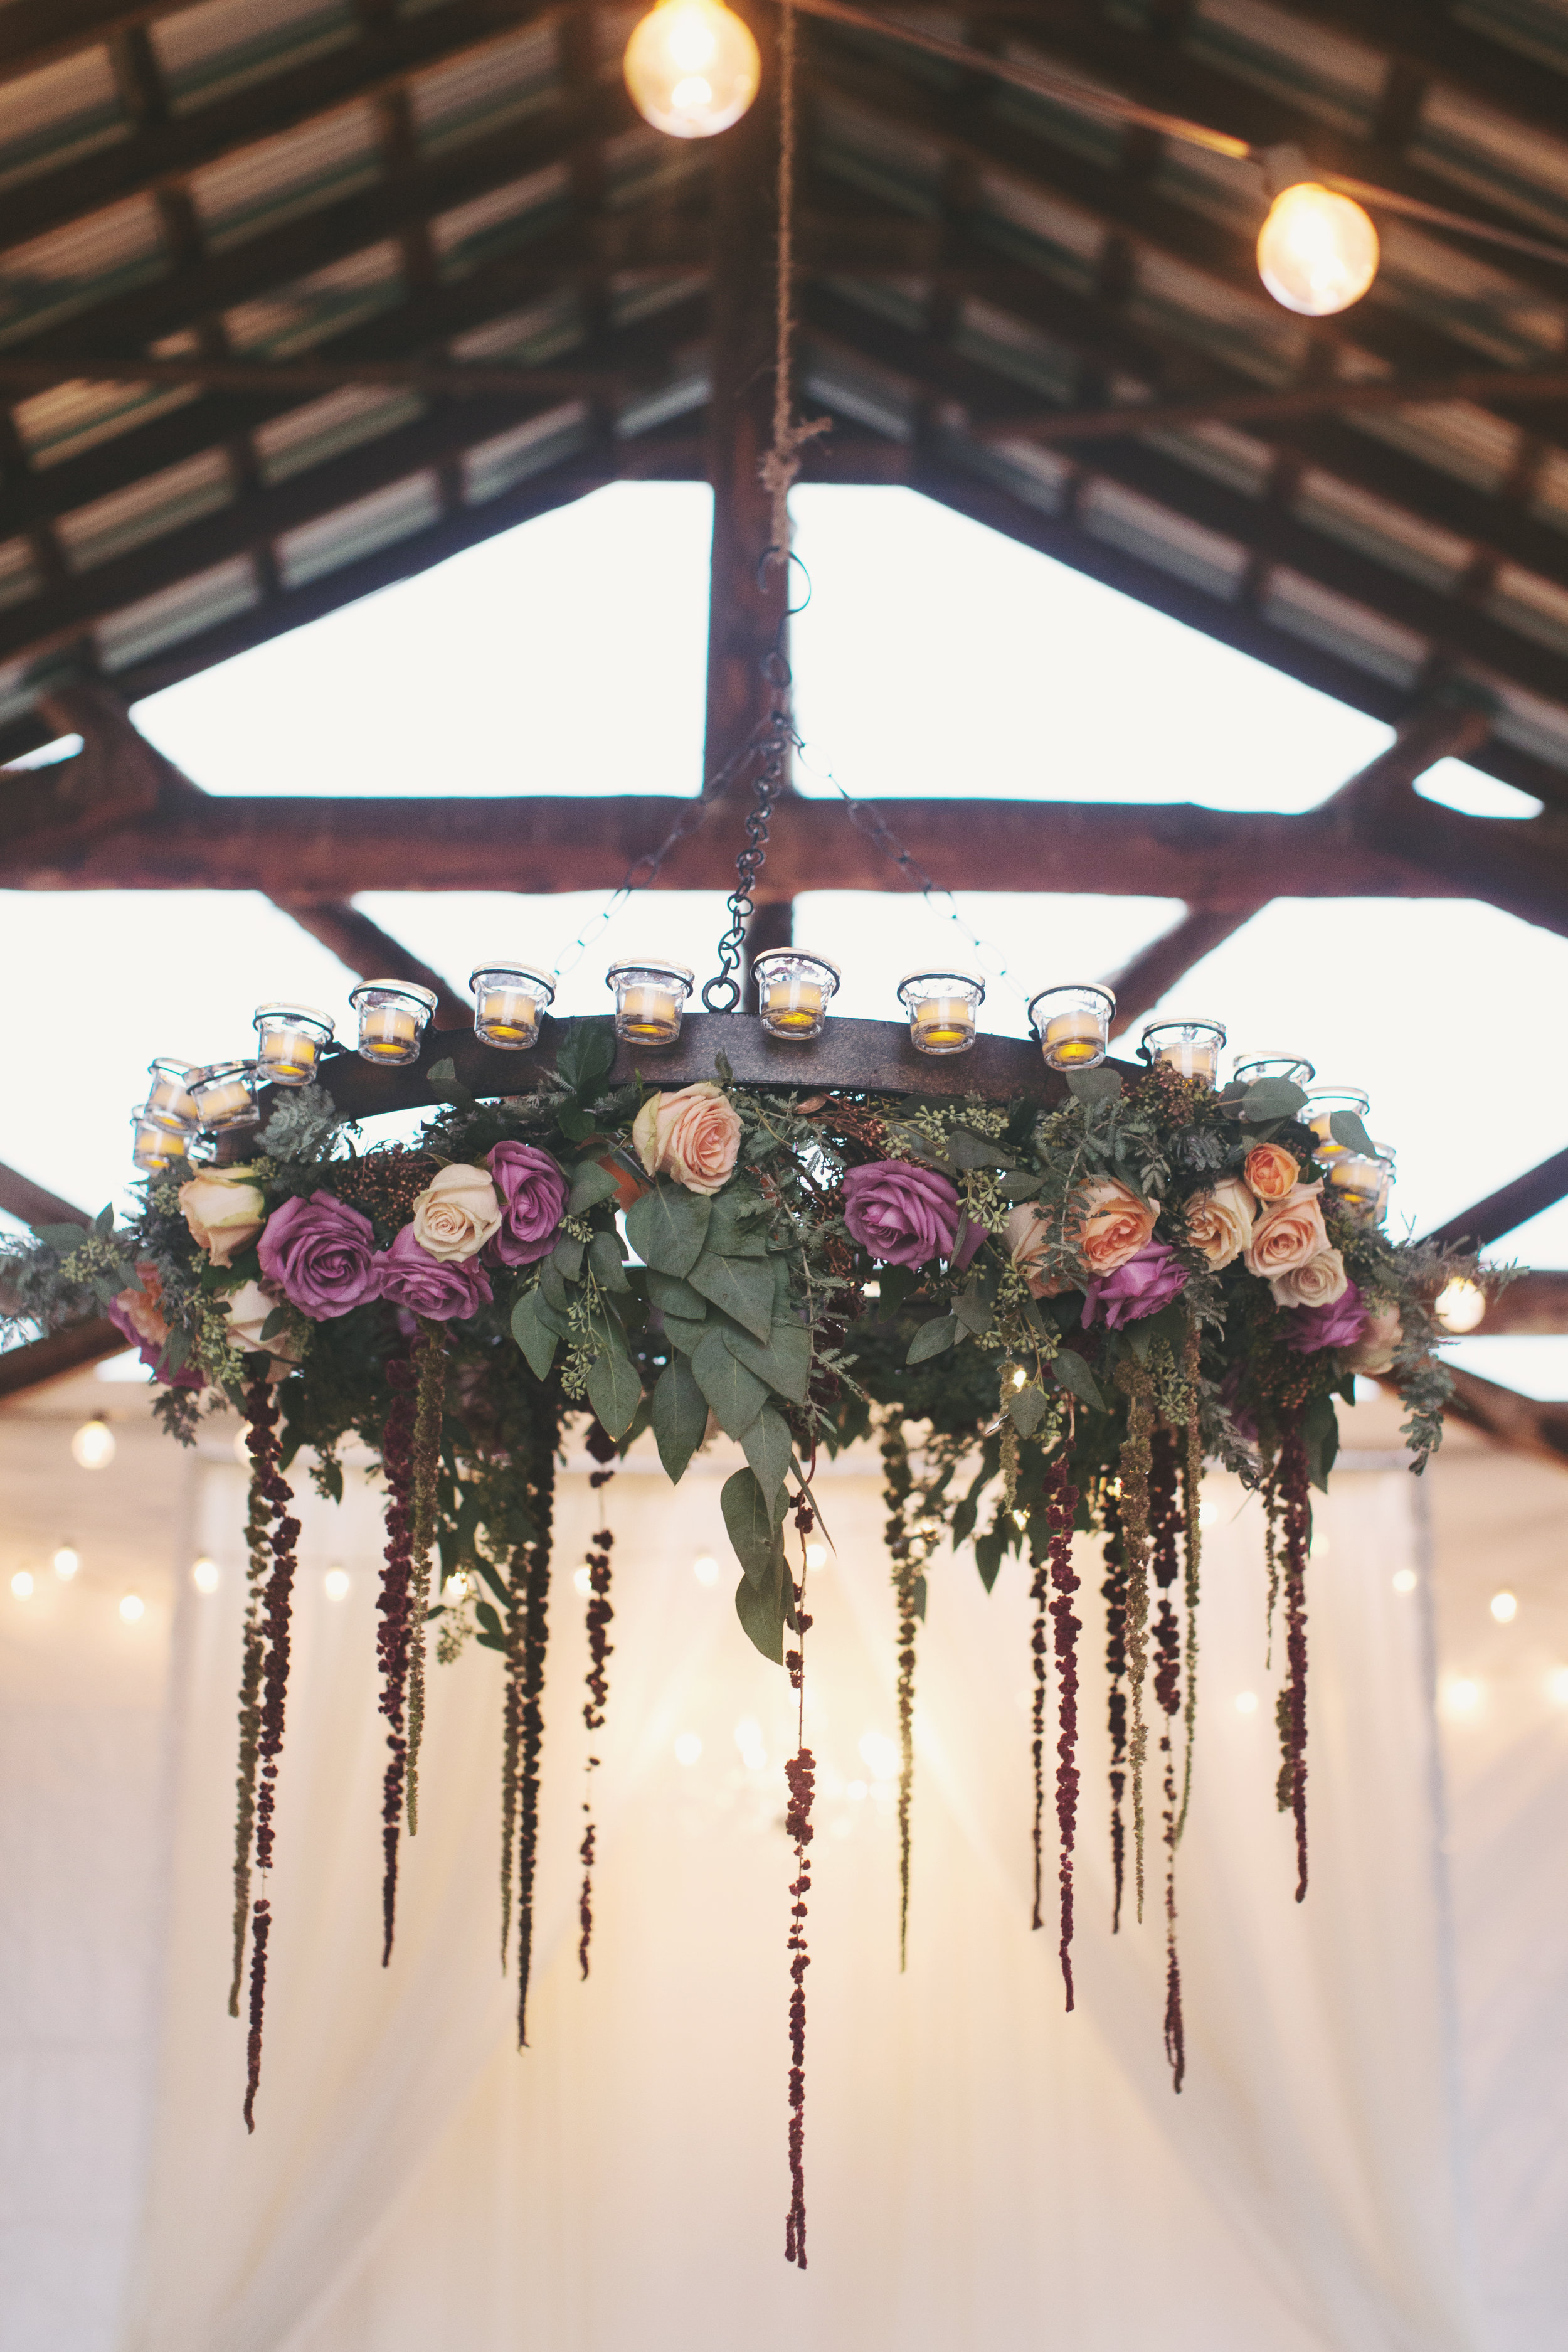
(981, 2167)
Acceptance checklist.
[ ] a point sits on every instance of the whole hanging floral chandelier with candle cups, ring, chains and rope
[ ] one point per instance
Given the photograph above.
(1052, 1288)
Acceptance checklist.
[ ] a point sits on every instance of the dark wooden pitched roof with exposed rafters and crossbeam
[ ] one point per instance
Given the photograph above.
(302, 298)
